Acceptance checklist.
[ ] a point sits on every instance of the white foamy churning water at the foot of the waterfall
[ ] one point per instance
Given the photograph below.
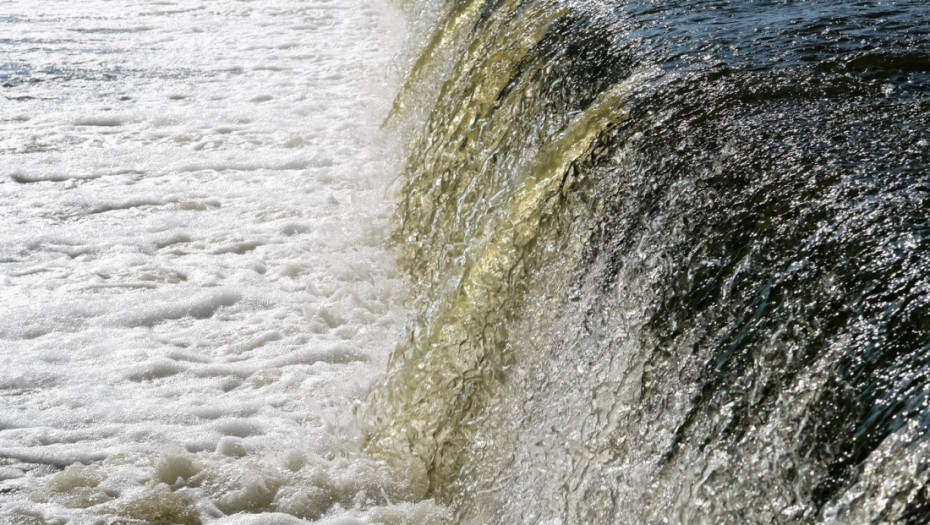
(194, 285)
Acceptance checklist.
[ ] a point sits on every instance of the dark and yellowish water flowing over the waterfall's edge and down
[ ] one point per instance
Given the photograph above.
(670, 262)
